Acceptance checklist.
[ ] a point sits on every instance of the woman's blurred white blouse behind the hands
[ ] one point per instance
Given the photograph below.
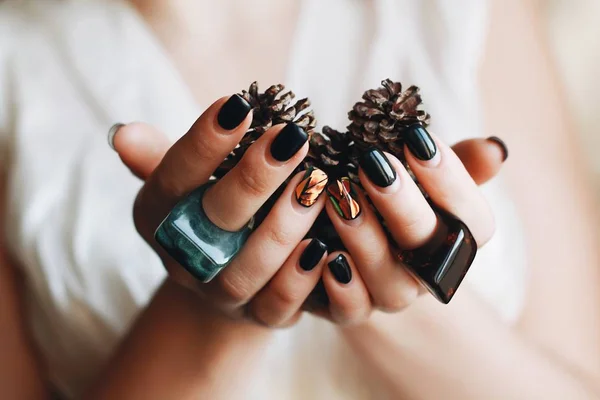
(69, 69)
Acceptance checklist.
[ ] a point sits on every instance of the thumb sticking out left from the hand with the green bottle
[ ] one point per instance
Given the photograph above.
(140, 146)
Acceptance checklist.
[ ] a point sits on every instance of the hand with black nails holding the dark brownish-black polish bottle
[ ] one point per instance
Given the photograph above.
(370, 275)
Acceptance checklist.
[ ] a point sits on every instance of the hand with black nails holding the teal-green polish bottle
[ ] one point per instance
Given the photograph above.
(267, 270)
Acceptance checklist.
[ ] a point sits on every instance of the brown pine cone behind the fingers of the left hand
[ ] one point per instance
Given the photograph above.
(269, 108)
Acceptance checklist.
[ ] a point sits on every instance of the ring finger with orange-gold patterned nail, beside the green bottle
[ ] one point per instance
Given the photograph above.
(267, 248)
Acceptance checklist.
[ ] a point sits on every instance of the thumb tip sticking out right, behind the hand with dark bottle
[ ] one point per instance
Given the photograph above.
(482, 158)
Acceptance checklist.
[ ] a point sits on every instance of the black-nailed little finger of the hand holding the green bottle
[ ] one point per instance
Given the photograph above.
(278, 302)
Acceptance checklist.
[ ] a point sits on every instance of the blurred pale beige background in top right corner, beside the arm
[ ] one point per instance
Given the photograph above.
(573, 28)
